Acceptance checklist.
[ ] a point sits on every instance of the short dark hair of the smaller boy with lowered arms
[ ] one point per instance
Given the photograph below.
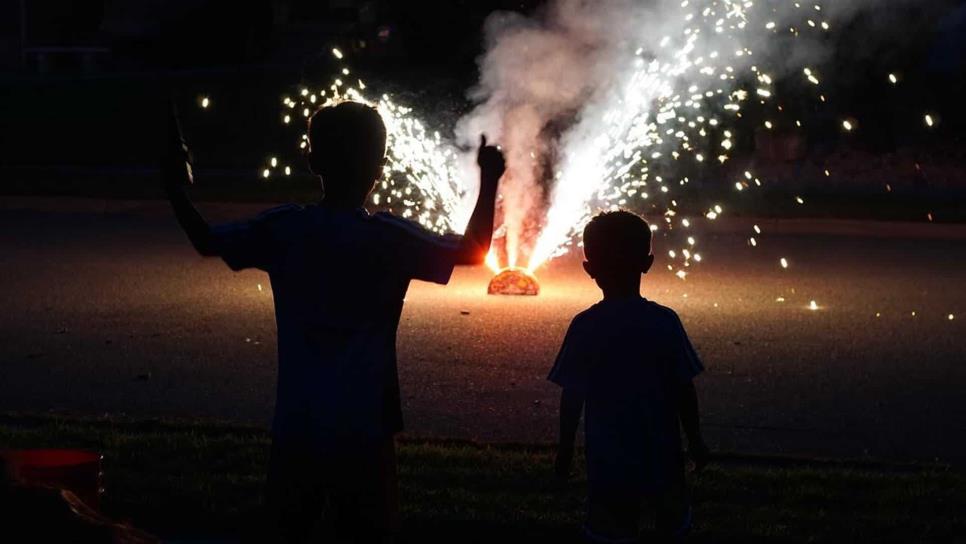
(617, 237)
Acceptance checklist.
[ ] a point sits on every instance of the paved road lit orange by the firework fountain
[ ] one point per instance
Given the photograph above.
(110, 311)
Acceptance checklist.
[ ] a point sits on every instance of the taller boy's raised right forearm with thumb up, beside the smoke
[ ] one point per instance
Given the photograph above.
(479, 232)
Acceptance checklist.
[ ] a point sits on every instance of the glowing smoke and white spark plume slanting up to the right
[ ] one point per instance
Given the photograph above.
(591, 84)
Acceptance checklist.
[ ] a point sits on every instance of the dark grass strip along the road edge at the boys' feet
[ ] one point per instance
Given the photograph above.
(203, 479)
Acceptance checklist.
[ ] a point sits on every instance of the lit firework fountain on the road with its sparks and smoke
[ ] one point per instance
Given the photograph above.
(599, 105)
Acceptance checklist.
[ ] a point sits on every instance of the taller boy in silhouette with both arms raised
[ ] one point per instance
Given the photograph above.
(339, 277)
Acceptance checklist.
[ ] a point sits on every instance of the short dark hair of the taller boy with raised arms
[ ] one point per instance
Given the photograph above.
(349, 132)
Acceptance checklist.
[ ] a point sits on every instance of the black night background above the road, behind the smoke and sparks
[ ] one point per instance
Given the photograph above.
(86, 82)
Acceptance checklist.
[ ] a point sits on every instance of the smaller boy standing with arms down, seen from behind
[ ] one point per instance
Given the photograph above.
(628, 364)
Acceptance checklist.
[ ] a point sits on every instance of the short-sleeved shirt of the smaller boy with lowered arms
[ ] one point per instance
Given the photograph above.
(629, 358)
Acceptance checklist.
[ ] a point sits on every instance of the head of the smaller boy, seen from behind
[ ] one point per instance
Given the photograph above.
(617, 249)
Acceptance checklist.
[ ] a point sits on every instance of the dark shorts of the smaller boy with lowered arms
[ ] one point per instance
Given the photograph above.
(613, 515)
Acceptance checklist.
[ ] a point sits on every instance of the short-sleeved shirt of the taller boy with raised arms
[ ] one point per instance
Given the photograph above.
(339, 278)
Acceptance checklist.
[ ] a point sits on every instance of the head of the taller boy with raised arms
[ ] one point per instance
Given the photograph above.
(347, 148)
